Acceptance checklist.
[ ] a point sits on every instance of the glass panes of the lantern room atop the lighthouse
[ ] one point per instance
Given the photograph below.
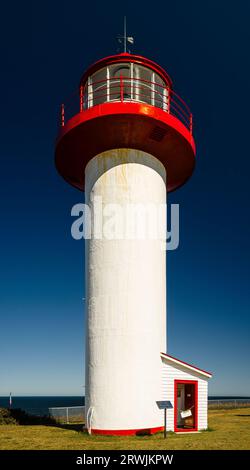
(126, 82)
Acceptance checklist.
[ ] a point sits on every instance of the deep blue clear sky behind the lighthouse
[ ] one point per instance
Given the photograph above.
(45, 47)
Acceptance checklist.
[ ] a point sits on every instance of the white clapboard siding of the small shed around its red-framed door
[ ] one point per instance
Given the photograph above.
(170, 373)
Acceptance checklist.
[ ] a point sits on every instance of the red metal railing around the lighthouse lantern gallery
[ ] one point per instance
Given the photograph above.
(125, 89)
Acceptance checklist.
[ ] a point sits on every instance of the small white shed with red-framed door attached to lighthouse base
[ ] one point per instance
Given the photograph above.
(186, 387)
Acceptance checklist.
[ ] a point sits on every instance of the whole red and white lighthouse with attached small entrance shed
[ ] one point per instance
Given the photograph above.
(129, 143)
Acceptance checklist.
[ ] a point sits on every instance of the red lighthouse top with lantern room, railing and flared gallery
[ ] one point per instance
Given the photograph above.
(126, 101)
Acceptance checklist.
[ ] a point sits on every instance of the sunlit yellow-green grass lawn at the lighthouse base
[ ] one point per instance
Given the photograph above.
(228, 429)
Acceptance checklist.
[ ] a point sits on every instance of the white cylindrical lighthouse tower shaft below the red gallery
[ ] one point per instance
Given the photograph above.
(126, 295)
